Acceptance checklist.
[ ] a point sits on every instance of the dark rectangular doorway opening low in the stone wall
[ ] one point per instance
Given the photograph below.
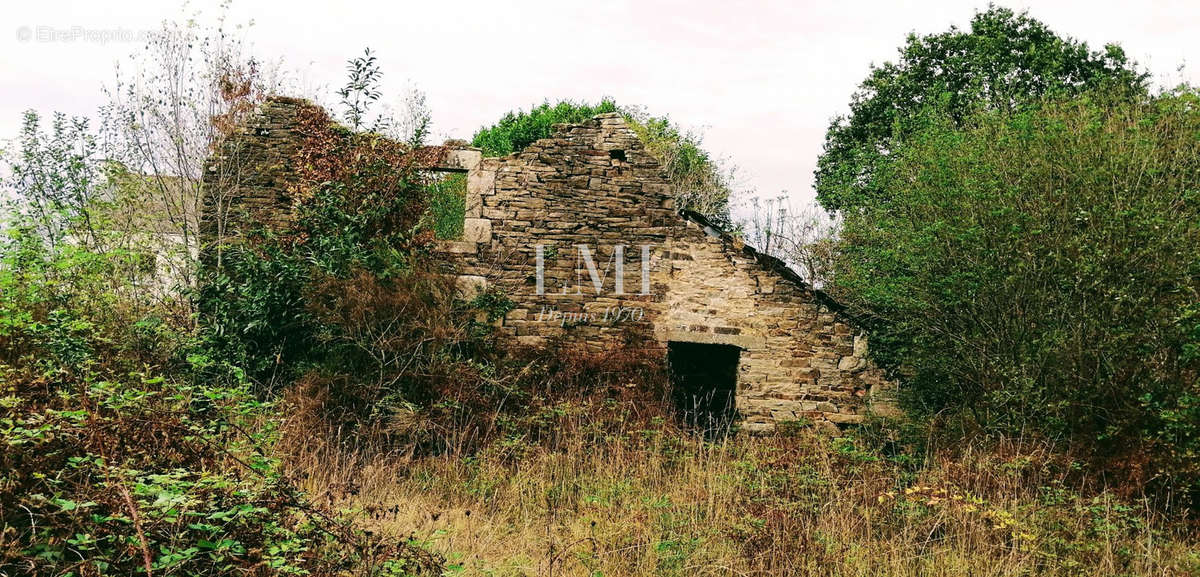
(704, 381)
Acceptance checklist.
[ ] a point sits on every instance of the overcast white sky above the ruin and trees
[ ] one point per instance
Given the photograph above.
(763, 80)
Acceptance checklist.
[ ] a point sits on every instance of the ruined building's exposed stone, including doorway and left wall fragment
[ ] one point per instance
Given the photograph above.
(581, 233)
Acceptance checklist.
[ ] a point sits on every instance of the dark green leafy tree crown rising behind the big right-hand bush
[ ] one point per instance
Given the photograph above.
(1005, 61)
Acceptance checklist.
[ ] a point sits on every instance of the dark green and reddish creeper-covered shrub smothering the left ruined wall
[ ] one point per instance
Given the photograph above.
(361, 209)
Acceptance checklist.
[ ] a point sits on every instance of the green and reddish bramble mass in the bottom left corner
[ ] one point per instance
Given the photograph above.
(121, 458)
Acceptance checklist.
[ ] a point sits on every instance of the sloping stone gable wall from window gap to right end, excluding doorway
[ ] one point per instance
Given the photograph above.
(800, 359)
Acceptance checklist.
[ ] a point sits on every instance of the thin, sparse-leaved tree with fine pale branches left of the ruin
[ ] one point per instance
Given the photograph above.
(187, 89)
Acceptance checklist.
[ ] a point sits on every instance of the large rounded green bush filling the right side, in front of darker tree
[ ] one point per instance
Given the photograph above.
(1040, 272)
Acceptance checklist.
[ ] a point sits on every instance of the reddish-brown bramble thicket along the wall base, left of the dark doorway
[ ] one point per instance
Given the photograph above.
(422, 375)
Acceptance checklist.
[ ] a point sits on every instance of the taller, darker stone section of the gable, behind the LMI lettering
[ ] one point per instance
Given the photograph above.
(591, 188)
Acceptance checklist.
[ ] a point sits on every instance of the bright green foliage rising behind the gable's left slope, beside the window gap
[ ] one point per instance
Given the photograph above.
(519, 130)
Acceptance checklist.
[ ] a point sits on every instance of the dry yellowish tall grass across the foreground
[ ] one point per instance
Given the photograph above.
(658, 501)
